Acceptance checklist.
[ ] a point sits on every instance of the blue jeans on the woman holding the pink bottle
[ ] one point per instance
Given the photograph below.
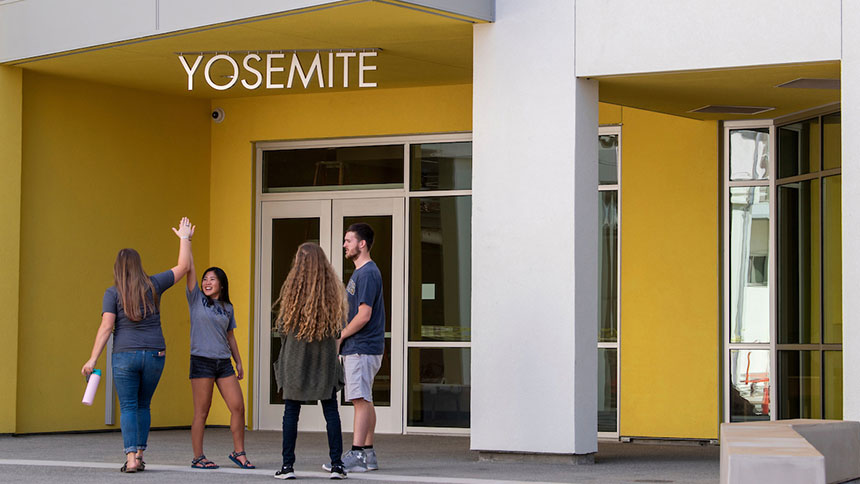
(136, 374)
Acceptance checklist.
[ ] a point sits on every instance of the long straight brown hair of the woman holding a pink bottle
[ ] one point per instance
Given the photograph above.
(133, 284)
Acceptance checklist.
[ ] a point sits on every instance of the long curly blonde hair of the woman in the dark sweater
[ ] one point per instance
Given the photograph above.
(312, 303)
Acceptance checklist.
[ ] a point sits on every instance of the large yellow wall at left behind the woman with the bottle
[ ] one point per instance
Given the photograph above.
(103, 168)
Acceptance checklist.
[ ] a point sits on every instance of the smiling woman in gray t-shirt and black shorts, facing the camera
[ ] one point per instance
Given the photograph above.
(212, 345)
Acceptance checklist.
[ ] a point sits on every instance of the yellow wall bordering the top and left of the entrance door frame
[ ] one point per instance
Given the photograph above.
(290, 117)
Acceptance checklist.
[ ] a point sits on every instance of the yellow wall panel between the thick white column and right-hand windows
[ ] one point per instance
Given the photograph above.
(670, 246)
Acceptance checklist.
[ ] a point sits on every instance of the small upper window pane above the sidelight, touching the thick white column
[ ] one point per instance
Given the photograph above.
(441, 166)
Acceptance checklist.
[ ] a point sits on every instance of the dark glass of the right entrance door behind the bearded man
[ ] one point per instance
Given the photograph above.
(381, 255)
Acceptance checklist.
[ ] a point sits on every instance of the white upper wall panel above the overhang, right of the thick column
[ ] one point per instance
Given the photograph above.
(635, 36)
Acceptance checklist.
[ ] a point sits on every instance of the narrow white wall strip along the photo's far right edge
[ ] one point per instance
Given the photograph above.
(850, 207)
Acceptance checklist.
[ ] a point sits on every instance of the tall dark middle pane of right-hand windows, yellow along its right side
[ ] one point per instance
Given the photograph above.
(799, 263)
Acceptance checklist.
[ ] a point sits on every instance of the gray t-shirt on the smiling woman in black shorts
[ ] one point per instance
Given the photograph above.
(210, 321)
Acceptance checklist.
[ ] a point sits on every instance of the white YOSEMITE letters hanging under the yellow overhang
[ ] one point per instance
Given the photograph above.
(271, 68)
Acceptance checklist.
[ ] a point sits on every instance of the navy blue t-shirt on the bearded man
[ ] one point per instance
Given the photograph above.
(365, 287)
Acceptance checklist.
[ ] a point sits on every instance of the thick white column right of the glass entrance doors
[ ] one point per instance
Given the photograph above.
(534, 235)
